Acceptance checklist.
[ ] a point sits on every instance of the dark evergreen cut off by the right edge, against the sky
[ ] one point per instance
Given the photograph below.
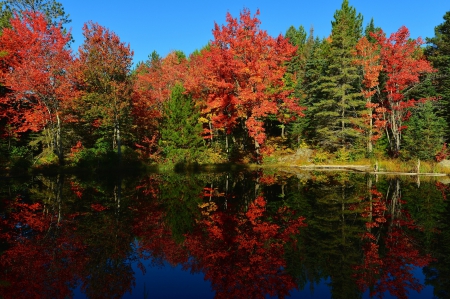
(438, 53)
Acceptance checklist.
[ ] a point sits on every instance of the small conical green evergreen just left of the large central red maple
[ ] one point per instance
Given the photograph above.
(181, 131)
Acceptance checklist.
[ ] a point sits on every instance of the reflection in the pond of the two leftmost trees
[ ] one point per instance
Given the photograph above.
(69, 241)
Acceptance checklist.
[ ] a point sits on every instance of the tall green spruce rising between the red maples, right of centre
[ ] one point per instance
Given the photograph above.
(338, 111)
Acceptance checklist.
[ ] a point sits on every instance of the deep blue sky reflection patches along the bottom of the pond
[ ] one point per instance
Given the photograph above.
(174, 283)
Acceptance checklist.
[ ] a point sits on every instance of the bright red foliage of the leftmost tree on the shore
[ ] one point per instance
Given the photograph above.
(38, 62)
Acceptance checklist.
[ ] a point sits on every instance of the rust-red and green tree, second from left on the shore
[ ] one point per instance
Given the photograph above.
(102, 76)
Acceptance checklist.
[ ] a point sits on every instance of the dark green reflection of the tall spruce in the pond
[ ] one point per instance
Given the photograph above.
(329, 245)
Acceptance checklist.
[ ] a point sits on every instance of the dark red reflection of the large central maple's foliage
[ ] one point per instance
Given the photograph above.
(242, 253)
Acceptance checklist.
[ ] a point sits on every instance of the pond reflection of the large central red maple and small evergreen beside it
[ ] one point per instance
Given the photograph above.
(228, 233)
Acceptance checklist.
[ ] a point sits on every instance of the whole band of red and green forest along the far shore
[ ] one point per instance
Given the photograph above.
(244, 97)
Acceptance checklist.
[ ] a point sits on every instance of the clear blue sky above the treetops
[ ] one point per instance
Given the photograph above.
(170, 25)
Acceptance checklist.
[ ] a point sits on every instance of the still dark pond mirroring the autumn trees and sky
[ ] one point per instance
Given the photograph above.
(256, 234)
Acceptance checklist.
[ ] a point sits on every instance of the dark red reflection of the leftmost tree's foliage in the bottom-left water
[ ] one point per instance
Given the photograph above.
(37, 263)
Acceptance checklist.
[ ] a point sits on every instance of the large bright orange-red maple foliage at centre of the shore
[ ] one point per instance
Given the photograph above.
(240, 77)
